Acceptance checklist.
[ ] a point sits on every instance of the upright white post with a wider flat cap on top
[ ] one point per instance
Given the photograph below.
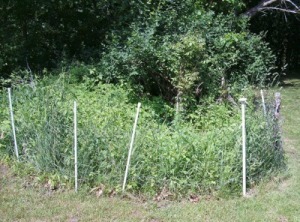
(243, 103)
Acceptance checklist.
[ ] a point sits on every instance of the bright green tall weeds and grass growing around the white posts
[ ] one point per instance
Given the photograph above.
(179, 156)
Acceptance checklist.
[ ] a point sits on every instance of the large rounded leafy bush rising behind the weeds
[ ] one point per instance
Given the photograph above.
(188, 57)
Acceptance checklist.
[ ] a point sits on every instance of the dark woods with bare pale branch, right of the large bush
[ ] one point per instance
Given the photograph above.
(280, 20)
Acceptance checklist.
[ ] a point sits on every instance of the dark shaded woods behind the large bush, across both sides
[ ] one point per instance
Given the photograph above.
(40, 34)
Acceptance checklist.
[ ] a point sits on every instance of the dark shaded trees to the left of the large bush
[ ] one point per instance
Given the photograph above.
(38, 34)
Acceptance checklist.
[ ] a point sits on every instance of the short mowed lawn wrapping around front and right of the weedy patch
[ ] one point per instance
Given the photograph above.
(276, 200)
